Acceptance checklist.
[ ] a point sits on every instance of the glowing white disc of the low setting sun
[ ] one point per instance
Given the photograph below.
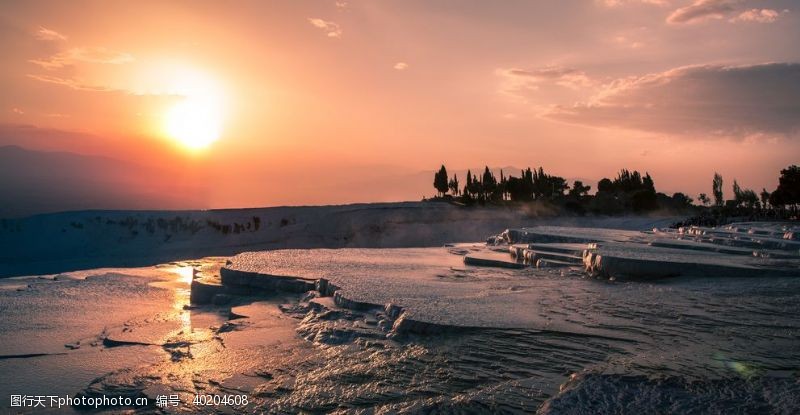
(194, 122)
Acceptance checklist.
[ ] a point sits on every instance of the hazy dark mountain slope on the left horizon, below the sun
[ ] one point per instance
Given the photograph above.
(37, 182)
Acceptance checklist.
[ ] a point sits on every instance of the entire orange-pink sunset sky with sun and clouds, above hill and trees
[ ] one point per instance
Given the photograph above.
(260, 103)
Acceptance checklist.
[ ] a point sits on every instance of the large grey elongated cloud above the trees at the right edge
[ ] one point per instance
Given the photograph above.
(708, 100)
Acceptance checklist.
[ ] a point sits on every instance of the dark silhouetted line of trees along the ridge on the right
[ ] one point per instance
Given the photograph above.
(629, 191)
